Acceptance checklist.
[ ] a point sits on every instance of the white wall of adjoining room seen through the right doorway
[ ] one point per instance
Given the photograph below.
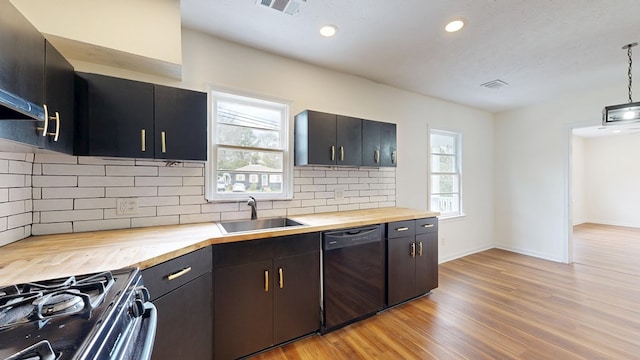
(612, 180)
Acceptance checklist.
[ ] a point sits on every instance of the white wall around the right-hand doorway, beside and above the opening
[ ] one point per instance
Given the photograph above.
(532, 171)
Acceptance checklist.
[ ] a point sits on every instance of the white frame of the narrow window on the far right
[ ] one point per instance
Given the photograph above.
(457, 136)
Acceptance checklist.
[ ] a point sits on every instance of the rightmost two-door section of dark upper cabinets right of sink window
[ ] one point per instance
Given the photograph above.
(379, 144)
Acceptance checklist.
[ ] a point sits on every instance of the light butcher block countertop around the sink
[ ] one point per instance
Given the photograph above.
(51, 256)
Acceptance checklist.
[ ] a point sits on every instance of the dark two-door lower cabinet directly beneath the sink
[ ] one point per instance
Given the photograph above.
(267, 292)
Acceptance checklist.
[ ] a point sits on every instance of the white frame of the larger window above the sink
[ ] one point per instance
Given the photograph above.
(286, 142)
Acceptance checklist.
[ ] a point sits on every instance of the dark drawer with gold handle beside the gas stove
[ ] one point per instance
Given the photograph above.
(165, 277)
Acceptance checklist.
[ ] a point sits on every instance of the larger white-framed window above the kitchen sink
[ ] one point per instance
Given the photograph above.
(249, 146)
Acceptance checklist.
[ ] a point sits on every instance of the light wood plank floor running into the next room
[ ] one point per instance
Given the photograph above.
(501, 305)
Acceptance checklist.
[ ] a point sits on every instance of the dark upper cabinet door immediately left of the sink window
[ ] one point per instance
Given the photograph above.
(180, 124)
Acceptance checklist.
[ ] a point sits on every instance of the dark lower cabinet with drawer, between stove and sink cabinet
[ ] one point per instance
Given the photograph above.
(182, 291)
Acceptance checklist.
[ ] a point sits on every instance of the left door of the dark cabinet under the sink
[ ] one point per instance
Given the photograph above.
(243, 309)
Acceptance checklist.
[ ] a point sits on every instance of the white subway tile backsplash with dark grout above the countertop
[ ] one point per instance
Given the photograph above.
(71, 194)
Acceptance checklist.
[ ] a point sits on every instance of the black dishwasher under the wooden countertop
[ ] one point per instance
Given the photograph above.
(353, 275)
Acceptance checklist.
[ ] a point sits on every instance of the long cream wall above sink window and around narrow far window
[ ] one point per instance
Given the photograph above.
(213, 61)
